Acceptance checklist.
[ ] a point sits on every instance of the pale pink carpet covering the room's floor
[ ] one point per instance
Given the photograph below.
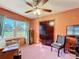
(39, 51)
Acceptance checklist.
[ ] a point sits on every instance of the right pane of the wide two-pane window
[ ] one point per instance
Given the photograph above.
(20, 28)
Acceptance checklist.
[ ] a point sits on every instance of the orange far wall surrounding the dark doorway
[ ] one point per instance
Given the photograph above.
(63, 19)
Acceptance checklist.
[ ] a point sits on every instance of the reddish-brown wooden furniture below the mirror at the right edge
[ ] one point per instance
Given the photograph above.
(72, 45)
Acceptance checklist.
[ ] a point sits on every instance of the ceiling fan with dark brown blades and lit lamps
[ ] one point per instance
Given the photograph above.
(35, 5)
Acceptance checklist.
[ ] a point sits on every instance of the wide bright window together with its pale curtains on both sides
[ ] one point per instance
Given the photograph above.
(10, 28)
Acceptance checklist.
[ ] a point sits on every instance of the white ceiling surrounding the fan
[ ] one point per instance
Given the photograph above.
(19, 6)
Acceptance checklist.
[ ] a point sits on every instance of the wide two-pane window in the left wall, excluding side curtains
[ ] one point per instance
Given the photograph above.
(13, 28)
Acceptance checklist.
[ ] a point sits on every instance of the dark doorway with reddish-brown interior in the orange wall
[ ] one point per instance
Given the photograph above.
(47, 32)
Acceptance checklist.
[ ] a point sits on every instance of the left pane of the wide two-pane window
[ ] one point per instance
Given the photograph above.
(8, 28)
